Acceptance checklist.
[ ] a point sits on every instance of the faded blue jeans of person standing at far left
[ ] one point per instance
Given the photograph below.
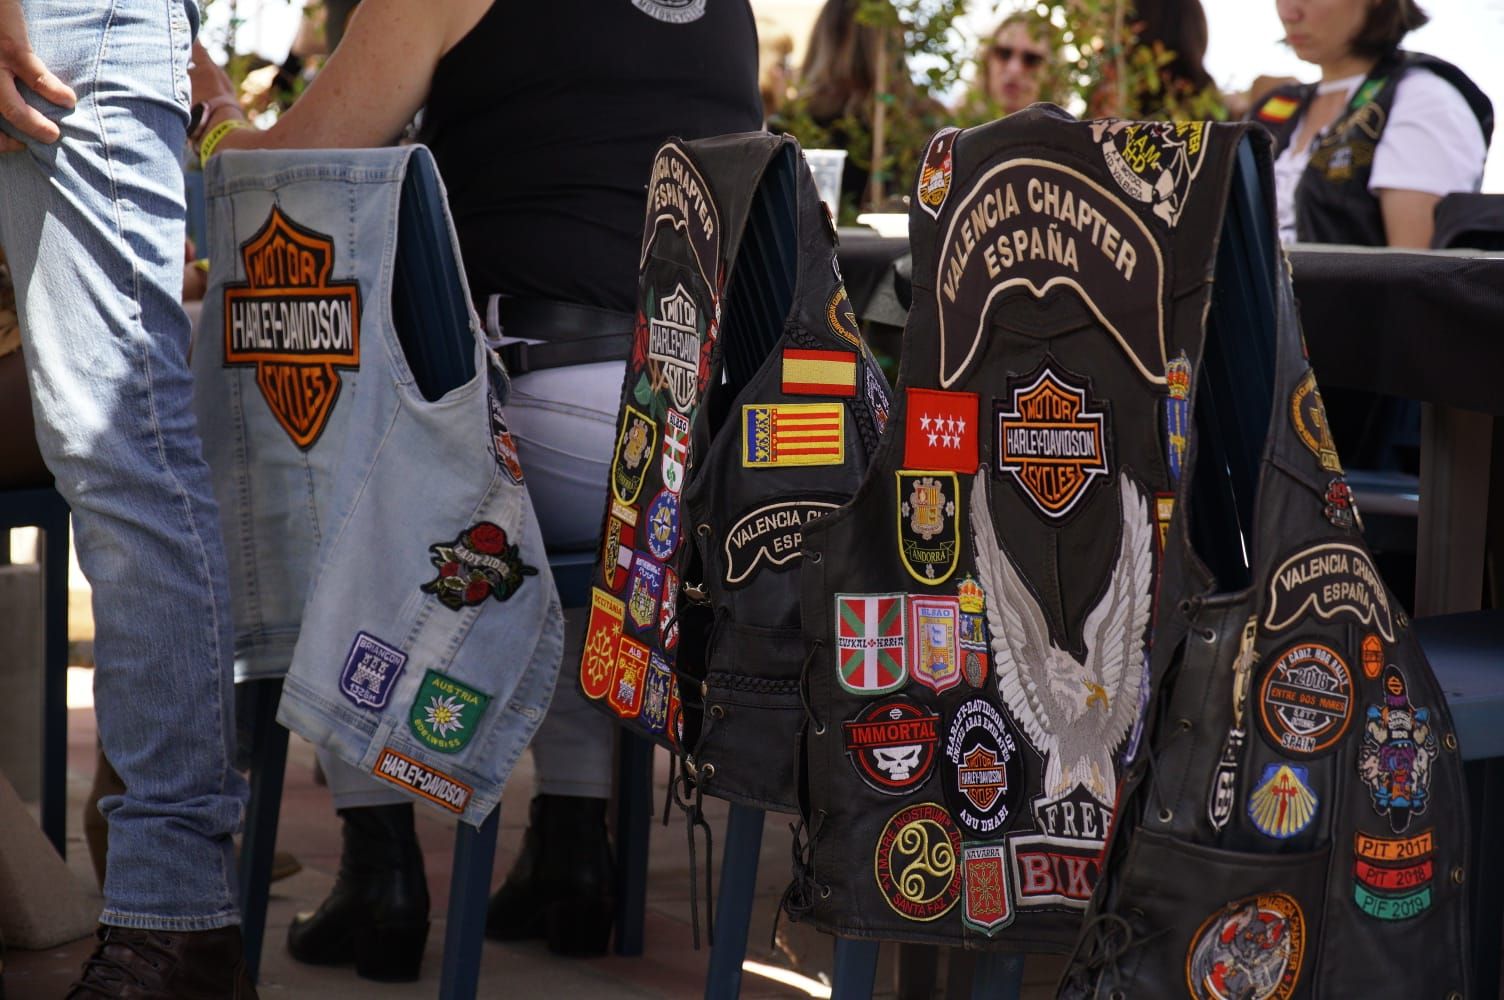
(94, 231)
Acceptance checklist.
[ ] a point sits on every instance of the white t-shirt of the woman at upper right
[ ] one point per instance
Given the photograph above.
(1431, 144)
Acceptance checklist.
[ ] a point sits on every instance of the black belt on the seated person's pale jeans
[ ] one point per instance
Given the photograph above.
(574, 335)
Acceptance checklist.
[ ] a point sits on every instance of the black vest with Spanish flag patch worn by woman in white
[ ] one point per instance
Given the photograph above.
(1333, 204)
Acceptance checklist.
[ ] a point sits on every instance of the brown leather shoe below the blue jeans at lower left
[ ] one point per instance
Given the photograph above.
(136, 965)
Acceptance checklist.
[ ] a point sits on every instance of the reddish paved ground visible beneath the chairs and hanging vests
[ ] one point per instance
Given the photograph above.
(670, 968)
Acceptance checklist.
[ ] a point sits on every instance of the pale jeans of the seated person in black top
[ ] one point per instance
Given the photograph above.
(565, 423)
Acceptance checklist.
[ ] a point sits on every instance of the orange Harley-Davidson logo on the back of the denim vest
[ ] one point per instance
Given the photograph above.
(294, 324)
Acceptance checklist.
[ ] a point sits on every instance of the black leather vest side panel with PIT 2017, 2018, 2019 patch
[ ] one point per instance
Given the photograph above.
(1294, 823)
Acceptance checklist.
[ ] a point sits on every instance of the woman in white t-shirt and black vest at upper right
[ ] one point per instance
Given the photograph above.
(1366, 153)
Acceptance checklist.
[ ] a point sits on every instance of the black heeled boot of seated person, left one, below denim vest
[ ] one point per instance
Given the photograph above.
(378, 912)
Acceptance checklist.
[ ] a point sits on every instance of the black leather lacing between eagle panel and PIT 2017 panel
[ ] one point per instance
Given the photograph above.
(1108, 938)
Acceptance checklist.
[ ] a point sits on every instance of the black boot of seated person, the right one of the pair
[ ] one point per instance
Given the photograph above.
(563, 886)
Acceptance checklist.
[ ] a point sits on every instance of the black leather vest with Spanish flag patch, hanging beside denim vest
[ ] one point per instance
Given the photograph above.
(750, 410)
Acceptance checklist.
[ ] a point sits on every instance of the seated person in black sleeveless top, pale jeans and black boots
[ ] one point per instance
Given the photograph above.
(544, 123)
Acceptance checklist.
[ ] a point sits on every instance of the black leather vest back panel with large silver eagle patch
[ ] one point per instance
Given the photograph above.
(978, 617)
